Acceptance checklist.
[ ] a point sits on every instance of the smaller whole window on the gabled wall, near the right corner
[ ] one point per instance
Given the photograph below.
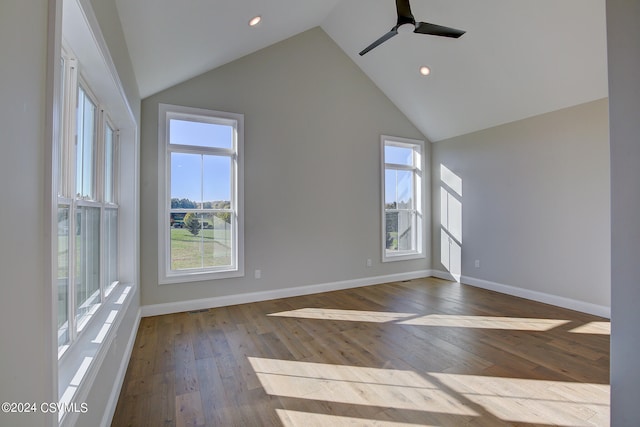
(402, 210)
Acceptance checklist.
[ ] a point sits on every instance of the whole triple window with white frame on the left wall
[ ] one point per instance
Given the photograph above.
(87, 266)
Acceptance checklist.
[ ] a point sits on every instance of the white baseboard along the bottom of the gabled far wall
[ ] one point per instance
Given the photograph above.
(200, 304)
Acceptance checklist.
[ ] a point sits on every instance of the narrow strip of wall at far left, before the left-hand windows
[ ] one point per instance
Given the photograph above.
(25, 306)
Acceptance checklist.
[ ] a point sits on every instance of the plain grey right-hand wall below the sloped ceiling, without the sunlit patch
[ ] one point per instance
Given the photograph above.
(535, 203)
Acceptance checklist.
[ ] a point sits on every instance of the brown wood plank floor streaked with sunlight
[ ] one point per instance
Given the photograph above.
(421, 352)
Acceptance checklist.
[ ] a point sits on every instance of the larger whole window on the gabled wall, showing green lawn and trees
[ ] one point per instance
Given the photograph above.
(200, 168)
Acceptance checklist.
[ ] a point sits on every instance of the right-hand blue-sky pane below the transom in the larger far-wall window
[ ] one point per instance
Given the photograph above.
(217, 181)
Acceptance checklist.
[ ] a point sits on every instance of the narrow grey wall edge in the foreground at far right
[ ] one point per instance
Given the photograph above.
(623, 35)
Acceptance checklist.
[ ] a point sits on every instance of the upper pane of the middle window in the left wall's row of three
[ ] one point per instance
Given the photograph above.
(85, 145)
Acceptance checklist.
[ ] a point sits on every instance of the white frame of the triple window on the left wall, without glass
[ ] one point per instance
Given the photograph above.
(72, 82)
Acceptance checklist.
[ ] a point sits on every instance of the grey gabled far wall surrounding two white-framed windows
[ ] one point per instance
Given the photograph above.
(312, 156)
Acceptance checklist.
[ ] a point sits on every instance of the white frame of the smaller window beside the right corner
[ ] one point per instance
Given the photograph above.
(418, 169)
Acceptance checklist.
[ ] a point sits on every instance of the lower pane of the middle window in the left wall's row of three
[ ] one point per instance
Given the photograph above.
(87, 274)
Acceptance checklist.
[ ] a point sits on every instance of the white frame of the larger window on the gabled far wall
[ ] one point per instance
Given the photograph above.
(166, 113)
